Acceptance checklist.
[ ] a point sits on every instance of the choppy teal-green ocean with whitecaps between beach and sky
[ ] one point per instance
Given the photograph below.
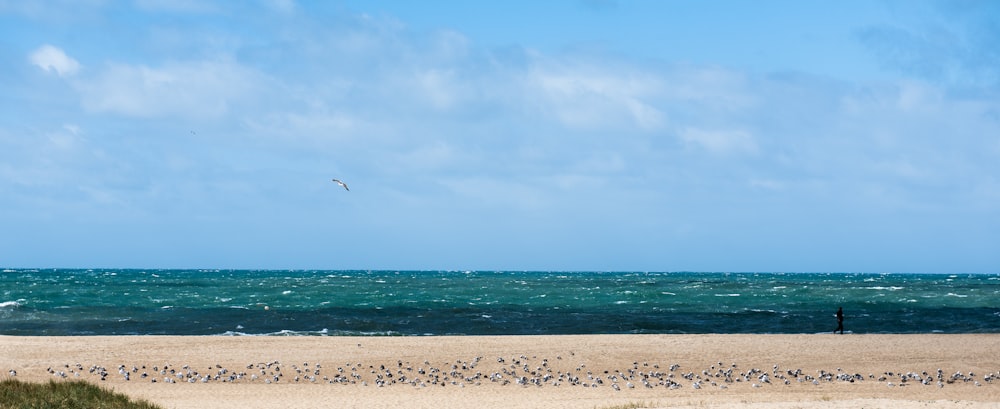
(414, 303)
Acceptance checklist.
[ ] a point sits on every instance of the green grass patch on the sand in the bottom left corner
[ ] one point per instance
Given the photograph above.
(15, 394)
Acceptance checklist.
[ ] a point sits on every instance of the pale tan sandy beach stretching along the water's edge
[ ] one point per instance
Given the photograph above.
(600, 356)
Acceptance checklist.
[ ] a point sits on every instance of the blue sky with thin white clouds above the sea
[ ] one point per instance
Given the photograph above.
(597, 135)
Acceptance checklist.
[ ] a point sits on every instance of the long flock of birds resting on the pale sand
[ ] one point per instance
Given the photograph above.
(514, 370)
